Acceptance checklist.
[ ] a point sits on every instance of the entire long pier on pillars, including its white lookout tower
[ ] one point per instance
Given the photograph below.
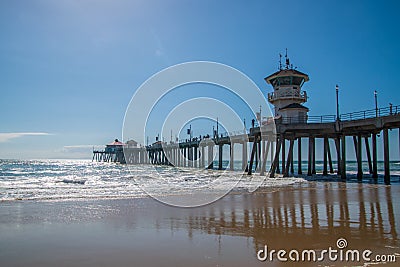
(273, 144)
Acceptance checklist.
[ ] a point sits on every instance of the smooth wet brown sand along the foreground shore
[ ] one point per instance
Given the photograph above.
(229, 232)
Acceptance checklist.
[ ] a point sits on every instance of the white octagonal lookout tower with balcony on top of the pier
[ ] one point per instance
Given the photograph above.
(288, 96)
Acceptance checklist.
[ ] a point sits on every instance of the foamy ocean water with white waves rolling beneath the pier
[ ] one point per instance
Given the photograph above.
(54, 180)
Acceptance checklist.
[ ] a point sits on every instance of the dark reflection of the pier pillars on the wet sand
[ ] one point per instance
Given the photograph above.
(307, 216)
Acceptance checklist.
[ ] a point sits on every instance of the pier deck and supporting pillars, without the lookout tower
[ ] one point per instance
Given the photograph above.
(362, 127)
